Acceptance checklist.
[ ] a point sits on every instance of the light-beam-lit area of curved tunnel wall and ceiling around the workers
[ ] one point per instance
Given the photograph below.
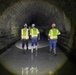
(42, 13)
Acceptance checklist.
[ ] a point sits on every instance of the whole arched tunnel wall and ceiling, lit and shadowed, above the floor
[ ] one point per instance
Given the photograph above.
(42, 13)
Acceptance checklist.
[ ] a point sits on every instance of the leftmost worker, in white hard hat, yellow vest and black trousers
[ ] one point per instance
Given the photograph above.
(24, 37)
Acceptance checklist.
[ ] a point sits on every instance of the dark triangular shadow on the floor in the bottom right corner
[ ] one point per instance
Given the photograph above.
(67, 69)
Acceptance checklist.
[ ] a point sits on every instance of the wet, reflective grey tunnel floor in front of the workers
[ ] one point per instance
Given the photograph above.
(39, 63)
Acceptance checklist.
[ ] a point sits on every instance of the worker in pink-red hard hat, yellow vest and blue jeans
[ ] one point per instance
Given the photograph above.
(53, 36)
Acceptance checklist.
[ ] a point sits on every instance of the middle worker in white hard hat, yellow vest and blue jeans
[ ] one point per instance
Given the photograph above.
(35, 35)
